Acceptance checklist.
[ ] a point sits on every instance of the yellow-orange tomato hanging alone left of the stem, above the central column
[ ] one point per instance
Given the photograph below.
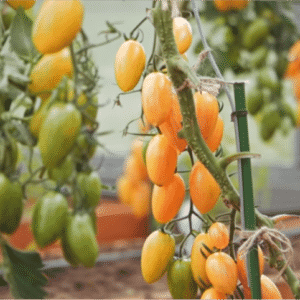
(129, 65)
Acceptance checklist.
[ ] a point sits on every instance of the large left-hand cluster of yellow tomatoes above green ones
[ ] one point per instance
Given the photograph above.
(62, 124)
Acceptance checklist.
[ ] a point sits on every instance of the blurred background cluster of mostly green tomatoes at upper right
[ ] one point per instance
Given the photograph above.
(254, 42)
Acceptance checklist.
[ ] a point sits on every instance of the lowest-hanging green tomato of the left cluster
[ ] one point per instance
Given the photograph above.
(82, 240)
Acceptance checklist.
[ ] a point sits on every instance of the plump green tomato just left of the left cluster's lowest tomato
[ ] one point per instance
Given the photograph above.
(49, 218)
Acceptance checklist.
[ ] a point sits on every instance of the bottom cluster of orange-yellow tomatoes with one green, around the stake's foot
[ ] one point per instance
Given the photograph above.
(209, 268)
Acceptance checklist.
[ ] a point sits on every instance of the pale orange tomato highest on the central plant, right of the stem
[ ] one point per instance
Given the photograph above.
(182, 31)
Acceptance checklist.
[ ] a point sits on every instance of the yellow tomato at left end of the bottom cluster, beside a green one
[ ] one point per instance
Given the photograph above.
(157, 252)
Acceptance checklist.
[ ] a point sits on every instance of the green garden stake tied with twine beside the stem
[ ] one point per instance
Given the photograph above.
(245, 185)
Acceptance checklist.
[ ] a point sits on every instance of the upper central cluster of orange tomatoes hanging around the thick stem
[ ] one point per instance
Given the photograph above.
(162, 110)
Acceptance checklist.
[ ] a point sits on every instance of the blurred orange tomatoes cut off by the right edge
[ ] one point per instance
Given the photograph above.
(293, 73)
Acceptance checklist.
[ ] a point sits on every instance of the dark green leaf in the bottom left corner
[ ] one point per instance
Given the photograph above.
(22, 272)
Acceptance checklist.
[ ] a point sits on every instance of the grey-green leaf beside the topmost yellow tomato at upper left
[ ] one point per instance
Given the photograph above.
(21, 41)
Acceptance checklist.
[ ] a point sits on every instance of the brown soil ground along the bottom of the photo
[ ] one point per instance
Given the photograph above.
(116, 280)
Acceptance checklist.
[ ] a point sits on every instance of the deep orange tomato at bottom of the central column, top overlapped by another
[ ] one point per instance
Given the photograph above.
(167, 199)
